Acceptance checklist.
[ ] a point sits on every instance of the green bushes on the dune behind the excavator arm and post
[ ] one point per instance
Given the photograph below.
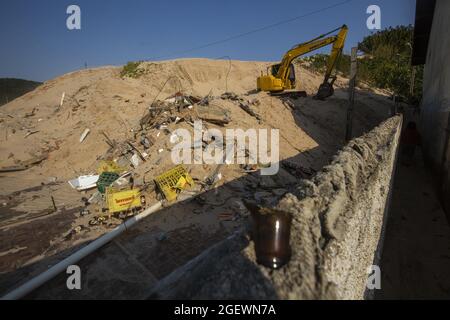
(385, 62)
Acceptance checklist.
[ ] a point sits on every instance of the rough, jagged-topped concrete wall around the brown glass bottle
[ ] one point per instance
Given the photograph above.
(336, 232)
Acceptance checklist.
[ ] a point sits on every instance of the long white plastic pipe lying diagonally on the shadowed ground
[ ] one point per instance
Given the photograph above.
(39, 280)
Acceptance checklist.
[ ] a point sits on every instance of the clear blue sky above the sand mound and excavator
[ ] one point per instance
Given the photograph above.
(36, 44)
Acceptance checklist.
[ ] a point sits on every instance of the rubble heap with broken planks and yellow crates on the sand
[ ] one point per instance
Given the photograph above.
(131, 171)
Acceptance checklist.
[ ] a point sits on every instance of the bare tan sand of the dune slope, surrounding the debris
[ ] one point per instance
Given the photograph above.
(100, 100)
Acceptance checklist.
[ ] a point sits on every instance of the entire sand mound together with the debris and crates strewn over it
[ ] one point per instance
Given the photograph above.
(86, 151)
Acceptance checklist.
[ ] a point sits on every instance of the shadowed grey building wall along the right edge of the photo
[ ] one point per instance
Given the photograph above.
(436, 96)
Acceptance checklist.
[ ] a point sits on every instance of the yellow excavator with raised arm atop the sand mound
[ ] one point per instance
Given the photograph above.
(282, 75)
